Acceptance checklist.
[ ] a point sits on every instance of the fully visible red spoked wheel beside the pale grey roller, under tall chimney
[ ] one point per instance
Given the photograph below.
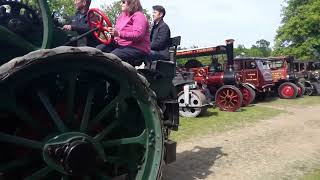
(229, 98)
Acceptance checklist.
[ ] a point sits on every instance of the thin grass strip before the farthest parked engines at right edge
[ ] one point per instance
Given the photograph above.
(305, 101)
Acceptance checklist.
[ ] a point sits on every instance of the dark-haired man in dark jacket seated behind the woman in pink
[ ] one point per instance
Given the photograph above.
(160, 35)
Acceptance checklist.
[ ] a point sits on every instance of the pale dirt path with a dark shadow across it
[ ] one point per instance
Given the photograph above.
(284, 147)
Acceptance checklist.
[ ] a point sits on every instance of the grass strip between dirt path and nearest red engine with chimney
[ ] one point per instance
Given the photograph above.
(217, 121)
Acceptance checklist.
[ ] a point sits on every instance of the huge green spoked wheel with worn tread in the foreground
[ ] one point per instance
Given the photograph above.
(75, 113)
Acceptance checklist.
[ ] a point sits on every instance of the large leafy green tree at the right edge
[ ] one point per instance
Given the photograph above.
(299, 34)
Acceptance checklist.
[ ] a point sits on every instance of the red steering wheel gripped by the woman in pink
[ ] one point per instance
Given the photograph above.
(99, 21)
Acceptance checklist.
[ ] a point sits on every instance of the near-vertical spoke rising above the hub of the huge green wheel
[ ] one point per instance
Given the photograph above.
(72, 79)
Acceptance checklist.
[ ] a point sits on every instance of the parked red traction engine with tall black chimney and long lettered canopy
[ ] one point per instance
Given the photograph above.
(221, 85)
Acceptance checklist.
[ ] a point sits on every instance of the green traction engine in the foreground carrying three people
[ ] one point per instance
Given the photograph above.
(75, 112)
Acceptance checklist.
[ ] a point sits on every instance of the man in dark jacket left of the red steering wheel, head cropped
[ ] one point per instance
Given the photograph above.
(79, 23)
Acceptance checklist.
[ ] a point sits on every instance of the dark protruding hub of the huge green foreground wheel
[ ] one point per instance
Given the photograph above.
(74, 156)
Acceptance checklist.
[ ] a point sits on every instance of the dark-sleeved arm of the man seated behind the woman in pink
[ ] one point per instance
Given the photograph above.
(160, 42)
